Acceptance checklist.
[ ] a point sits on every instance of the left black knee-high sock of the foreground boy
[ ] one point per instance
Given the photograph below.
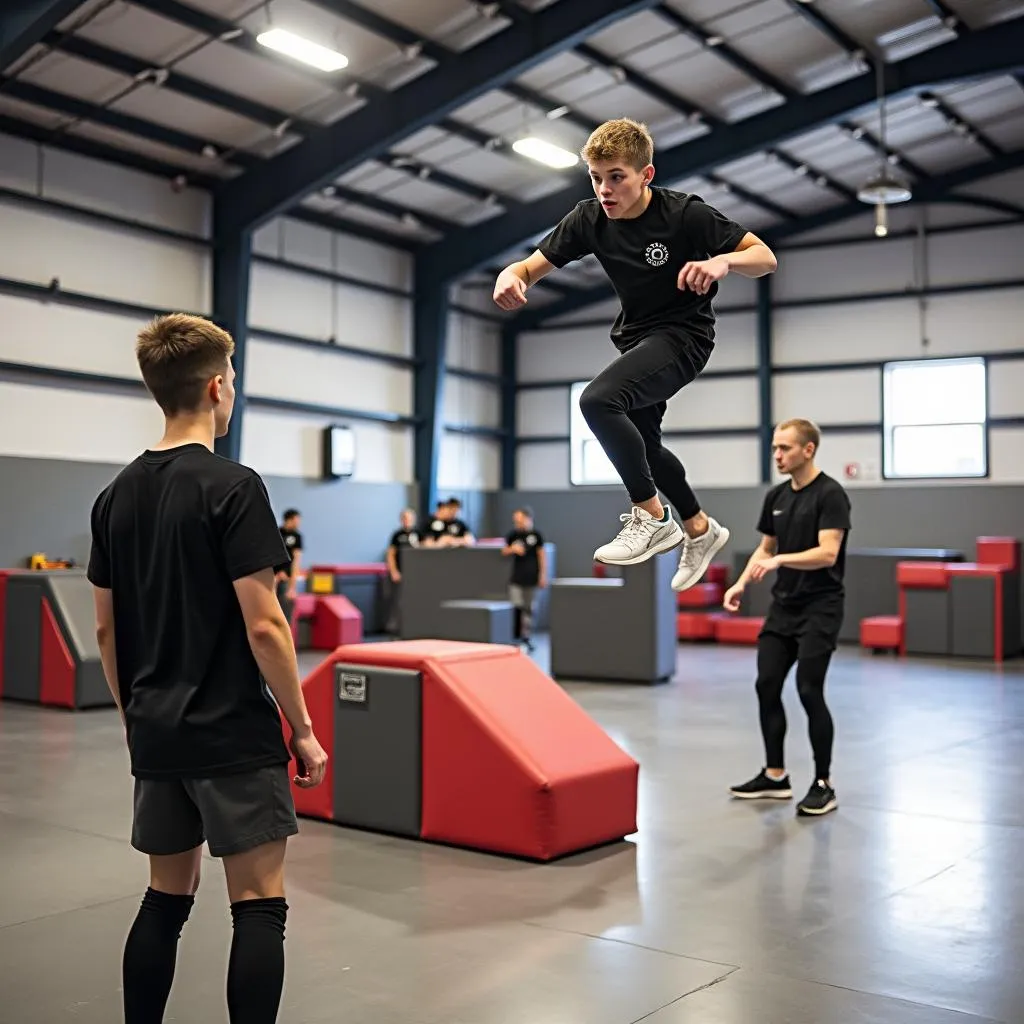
(151, 951)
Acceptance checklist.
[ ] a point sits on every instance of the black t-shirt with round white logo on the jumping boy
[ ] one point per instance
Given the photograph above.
(644, 257)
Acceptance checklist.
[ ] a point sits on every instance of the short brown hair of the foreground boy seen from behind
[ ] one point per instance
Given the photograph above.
(178, 355)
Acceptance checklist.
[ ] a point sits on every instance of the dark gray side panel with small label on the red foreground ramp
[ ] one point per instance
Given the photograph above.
(377, 749)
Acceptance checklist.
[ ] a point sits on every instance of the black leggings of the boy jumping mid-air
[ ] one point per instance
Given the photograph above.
(624, 406)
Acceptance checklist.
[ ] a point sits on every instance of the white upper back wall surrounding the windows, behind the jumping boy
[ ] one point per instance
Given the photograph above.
(986, 321)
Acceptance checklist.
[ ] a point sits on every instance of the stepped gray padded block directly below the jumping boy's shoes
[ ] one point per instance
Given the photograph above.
(622, 629)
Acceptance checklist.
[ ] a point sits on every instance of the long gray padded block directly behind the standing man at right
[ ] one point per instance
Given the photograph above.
(870, 583)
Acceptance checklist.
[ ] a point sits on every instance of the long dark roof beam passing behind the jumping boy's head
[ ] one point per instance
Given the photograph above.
(993, 52)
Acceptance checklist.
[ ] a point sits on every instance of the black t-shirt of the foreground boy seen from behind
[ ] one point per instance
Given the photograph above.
(169, 536)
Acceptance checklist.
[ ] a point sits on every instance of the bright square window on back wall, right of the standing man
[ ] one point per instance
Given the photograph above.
(934, 418)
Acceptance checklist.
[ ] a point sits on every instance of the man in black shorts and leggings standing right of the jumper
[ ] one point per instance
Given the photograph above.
(804, 526)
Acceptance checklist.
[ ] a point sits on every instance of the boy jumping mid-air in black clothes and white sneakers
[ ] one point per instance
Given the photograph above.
(665, 252)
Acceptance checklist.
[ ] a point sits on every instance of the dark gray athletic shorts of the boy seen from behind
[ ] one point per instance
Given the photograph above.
(233, 814)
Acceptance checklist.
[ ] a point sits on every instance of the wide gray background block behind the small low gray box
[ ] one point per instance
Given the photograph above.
(433, 577)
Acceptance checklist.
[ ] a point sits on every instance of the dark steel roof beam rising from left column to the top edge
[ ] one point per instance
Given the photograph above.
(370, 132)
